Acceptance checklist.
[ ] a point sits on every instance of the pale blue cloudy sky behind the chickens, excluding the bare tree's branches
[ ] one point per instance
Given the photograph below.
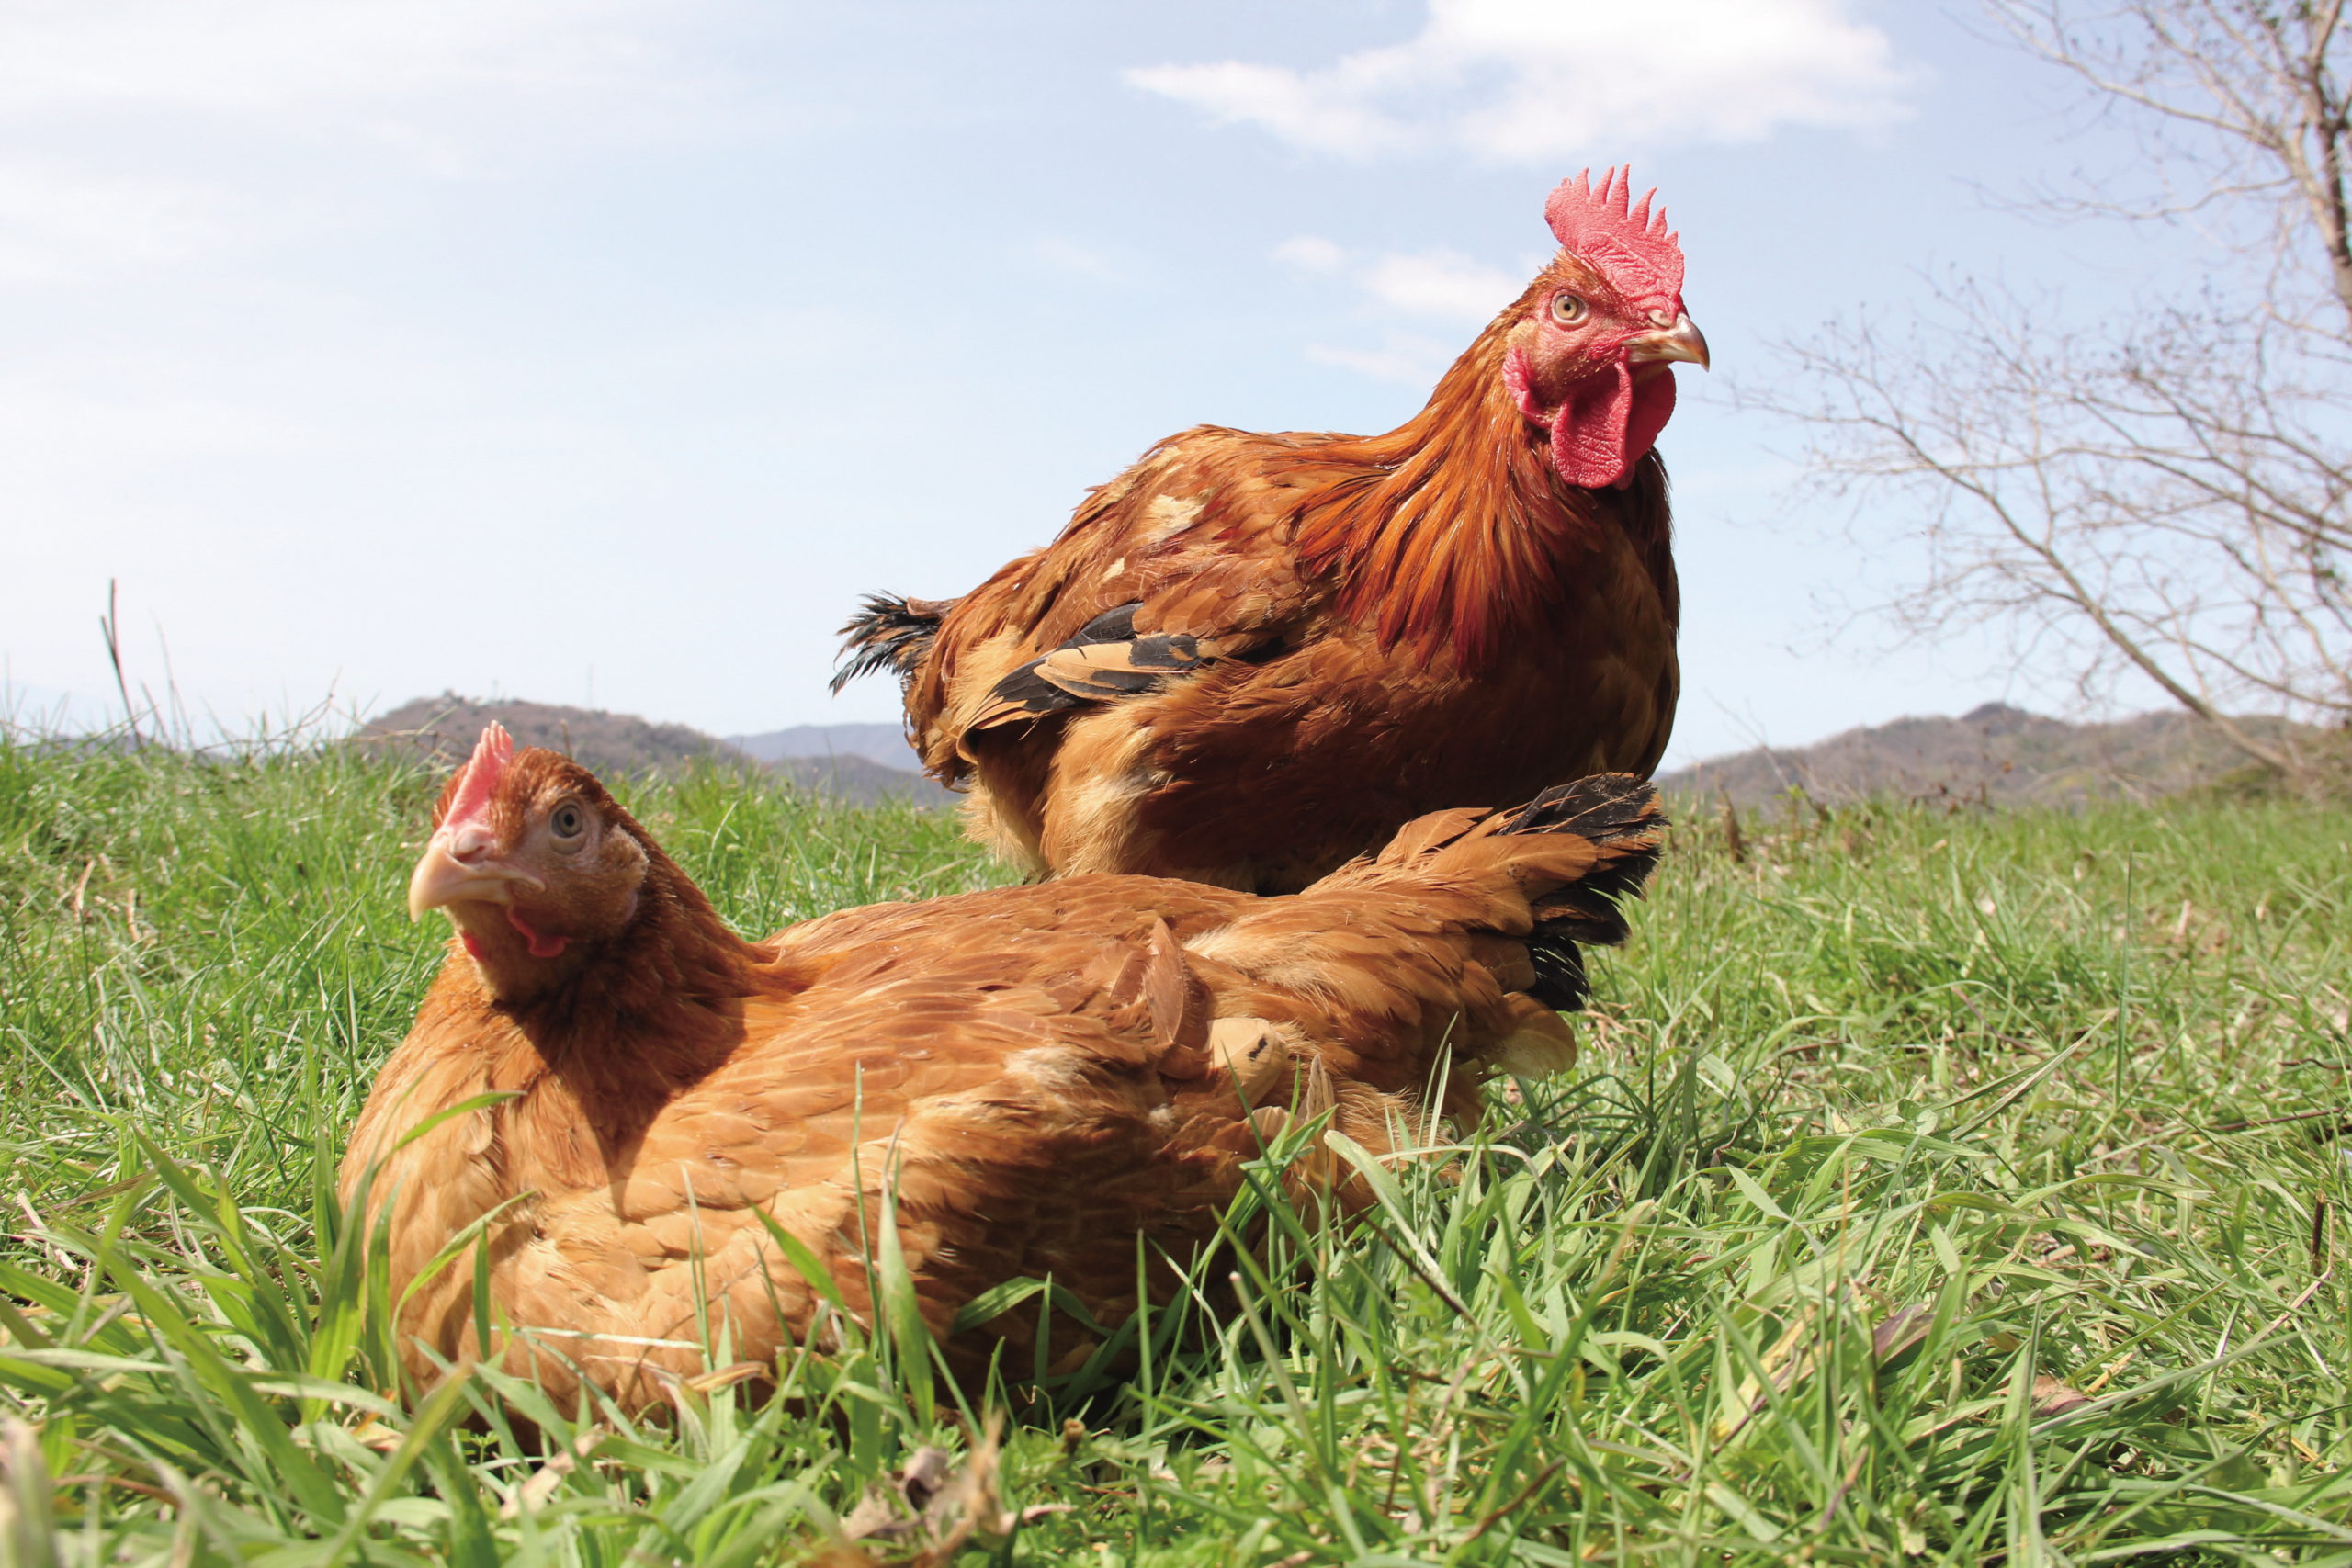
(603, 351)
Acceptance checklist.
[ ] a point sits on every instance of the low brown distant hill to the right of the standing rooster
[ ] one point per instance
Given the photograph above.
(1996, 756)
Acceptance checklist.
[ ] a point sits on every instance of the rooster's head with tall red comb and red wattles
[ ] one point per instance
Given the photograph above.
(1601, 328)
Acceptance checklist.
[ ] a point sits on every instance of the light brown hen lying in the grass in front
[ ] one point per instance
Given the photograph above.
(615, 1087)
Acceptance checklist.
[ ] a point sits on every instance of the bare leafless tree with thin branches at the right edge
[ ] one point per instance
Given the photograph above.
(2167, 492)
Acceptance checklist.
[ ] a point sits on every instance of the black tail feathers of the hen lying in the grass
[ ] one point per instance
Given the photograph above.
(1624, 819)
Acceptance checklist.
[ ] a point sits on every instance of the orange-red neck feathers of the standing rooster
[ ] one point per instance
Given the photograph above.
(1457, 528)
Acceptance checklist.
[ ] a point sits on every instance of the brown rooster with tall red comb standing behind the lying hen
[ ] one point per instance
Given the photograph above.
(1252, 657)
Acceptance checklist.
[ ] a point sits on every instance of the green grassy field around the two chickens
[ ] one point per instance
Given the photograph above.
(1935, 1188)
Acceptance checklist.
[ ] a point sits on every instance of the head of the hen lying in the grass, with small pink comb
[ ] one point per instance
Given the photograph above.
(533, 862)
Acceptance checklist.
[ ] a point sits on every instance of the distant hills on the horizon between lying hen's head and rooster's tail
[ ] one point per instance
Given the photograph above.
(441, 730)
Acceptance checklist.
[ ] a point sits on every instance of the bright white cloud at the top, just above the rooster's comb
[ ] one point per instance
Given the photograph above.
(1568, 79)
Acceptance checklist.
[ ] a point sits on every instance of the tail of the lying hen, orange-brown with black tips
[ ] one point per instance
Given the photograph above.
(1572, 852)
